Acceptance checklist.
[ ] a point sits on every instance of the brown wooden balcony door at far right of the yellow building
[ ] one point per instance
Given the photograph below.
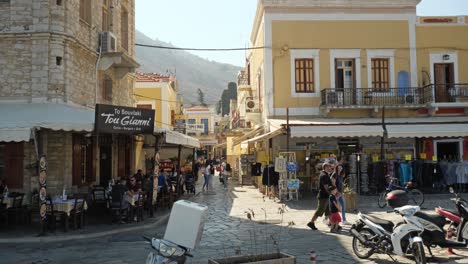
(443, 78)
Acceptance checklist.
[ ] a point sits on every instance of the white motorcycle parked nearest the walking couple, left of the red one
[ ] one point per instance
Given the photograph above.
(375, 235)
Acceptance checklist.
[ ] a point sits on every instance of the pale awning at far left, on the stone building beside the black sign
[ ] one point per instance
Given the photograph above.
(25, 116)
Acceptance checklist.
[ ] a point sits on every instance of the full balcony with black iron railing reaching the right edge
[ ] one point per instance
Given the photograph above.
(455, 95)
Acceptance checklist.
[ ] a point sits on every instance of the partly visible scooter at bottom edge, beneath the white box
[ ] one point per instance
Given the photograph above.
(166, 252)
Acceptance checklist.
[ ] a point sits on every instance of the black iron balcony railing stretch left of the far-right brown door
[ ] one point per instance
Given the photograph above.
(365, 97)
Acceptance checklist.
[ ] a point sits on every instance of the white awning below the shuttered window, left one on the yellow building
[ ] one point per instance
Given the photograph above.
(337, 131)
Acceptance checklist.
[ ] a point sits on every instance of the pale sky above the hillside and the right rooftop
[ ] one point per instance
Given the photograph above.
(228, 23)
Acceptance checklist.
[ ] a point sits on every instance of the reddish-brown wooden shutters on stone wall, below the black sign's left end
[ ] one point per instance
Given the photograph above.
(83, 162)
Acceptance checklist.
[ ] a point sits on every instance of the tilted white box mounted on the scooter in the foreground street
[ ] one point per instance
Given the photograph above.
(186, 223)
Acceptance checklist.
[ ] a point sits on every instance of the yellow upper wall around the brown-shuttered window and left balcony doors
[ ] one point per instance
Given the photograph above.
(325, 35)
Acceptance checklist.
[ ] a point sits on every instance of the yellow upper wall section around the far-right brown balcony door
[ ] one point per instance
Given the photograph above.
(439, 39)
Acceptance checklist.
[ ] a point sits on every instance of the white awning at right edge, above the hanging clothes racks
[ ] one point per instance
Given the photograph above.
(431, 130)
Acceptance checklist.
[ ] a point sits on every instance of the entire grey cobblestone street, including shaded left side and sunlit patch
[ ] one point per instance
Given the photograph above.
(229, 232)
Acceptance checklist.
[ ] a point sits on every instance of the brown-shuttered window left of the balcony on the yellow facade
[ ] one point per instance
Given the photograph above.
(304, 76)
